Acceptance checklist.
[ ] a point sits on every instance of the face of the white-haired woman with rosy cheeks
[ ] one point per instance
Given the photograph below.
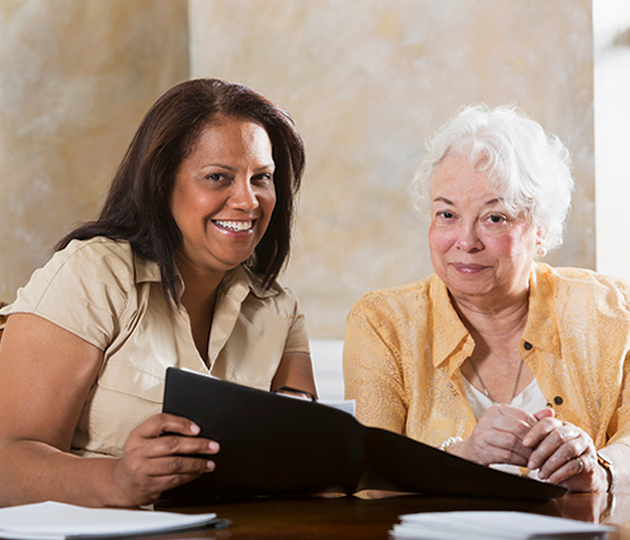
(481, 251)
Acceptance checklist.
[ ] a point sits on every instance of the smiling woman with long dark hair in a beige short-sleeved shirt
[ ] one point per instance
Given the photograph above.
(179, 270)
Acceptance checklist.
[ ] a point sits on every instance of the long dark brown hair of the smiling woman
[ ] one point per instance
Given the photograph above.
(137, 208)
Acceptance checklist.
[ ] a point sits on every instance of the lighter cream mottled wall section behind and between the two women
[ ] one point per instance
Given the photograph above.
(366, 82)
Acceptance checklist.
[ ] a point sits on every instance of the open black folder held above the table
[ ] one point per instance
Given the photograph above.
(277, 445)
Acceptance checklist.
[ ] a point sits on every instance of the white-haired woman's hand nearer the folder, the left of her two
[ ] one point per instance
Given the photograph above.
(498, 436)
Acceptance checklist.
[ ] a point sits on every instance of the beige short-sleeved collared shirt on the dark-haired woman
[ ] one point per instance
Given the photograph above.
(104, 293)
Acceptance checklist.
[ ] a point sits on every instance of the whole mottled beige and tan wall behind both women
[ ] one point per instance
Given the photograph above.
(366, 82)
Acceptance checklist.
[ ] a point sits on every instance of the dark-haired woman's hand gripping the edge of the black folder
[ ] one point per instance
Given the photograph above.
(152, 463)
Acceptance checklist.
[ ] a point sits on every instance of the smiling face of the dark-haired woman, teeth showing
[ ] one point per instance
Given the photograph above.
(223, 196)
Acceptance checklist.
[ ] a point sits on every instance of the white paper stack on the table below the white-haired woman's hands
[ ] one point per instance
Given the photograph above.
(495, 525)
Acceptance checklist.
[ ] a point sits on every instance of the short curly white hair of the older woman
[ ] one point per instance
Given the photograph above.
(529, 169)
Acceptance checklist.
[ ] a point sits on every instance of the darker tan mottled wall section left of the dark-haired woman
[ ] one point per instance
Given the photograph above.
(76, 77)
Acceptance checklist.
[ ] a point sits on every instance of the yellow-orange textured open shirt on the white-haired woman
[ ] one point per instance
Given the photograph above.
(404, 348)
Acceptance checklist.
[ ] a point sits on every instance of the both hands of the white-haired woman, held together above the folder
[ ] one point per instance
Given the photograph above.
(562, 452)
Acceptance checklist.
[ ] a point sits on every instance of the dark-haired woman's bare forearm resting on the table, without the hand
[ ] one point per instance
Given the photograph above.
(33, 471)
